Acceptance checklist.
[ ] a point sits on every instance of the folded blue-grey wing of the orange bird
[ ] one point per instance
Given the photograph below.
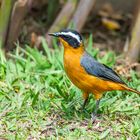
(99, 70)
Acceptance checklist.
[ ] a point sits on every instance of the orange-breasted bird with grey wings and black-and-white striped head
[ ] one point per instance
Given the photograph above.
(85, 72)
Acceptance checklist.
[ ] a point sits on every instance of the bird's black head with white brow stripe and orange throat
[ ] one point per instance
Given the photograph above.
(69, 38)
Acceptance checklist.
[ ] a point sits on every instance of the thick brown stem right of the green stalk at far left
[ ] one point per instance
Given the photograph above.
(20, 10)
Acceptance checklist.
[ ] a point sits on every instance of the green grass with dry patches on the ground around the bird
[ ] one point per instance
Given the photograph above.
(37, 101)
